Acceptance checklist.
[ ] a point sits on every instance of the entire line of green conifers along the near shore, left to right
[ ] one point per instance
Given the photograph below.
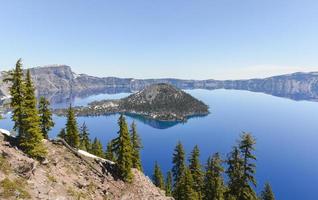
(186, 181)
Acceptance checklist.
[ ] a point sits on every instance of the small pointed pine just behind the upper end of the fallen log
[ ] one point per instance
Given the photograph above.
(72, 136)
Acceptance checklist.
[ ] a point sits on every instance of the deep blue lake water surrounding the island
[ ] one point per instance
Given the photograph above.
(286, 132)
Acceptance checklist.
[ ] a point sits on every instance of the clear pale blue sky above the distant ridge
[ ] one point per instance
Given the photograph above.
(162, 38)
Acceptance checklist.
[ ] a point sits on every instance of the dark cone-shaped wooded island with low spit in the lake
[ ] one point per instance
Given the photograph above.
(161, 102)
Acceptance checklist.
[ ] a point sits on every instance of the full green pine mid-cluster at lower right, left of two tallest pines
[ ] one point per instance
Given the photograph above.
(214, 187)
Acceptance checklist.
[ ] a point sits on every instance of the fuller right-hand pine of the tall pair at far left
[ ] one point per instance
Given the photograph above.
(30, 140)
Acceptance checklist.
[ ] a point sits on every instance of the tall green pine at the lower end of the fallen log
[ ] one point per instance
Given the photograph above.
(123, 150)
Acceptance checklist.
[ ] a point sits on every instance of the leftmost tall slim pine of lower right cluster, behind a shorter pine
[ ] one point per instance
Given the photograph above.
(178, 161)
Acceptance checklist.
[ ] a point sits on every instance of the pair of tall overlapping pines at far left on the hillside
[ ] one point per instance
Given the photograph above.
(25, 114)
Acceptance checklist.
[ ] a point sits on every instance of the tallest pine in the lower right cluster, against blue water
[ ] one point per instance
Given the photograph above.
(247, 146)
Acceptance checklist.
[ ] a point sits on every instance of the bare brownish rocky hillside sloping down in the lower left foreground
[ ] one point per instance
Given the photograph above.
(66, 176)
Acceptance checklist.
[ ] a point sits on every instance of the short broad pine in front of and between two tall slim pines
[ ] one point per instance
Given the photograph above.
(184, 187)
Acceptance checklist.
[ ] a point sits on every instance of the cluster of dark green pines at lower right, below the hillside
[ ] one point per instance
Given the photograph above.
(189, 180)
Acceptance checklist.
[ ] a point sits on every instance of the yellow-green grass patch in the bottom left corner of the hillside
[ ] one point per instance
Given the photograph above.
(13, 188)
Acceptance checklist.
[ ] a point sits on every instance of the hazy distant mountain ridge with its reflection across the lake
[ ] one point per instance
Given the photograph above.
(60, 79)
